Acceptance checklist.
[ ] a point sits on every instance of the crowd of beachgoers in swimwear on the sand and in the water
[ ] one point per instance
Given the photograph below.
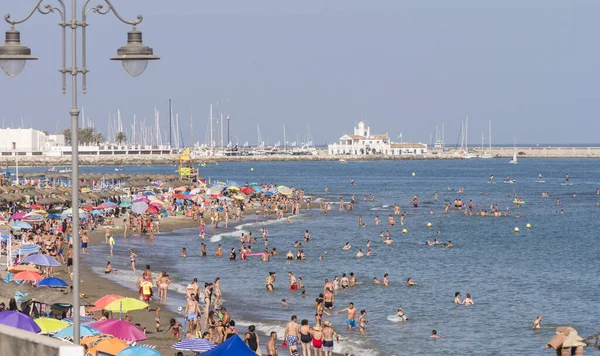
(205, 316)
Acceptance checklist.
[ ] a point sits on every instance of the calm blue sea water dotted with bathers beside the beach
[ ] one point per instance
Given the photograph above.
(550, 269)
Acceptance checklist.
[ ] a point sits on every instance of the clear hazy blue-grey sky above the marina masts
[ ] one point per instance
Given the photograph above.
(531, 67)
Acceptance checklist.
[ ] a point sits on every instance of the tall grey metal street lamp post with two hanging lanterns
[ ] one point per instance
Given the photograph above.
(134, 57)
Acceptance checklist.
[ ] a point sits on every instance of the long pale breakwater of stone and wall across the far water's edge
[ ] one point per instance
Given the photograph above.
(88, 160)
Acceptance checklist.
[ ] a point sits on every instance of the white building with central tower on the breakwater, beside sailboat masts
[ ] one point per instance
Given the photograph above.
(362, 143)
